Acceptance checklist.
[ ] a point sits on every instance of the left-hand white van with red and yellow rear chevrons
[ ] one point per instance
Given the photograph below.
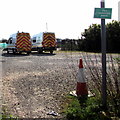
(18, 43)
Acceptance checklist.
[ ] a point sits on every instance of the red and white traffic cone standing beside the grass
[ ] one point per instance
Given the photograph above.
(81, 89)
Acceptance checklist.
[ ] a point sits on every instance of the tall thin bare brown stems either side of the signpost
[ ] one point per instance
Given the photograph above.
(93, 72)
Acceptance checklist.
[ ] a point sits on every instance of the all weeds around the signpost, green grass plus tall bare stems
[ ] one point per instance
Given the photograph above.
(93, 75)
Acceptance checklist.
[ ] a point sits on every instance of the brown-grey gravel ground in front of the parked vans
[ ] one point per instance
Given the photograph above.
(37, 84)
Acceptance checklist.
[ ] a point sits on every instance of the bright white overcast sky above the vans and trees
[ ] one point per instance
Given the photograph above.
(66, 18)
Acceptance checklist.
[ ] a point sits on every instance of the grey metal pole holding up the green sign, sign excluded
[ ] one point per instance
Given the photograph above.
(103, 50)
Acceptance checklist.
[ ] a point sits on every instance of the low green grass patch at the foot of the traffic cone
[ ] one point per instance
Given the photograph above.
(91, 110)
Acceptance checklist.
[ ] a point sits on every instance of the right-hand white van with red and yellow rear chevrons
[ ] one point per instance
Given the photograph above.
(44, 41)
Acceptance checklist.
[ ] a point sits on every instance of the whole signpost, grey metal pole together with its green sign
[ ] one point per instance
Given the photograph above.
(103, 13)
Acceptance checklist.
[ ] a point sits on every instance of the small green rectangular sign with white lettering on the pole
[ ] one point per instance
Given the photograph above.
(103, 13)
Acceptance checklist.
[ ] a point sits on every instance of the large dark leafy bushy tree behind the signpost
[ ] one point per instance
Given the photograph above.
(92, 37)
